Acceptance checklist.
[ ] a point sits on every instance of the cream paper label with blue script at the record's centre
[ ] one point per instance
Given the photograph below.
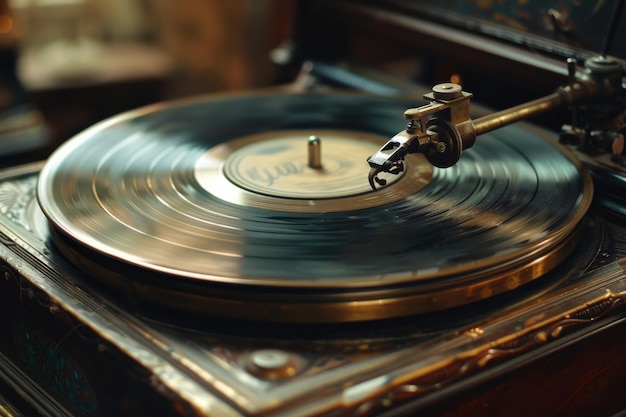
(277, 164)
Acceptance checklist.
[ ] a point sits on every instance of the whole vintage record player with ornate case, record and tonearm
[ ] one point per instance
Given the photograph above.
(304, 251)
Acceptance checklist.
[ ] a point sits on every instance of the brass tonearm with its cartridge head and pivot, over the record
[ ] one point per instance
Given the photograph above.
(443, 128)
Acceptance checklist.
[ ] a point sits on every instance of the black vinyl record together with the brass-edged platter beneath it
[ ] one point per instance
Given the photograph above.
(209, 206)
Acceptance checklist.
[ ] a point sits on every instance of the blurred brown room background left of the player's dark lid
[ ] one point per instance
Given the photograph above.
(66, 64)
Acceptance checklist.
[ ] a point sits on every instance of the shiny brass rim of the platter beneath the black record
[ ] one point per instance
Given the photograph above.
(342, 308)
